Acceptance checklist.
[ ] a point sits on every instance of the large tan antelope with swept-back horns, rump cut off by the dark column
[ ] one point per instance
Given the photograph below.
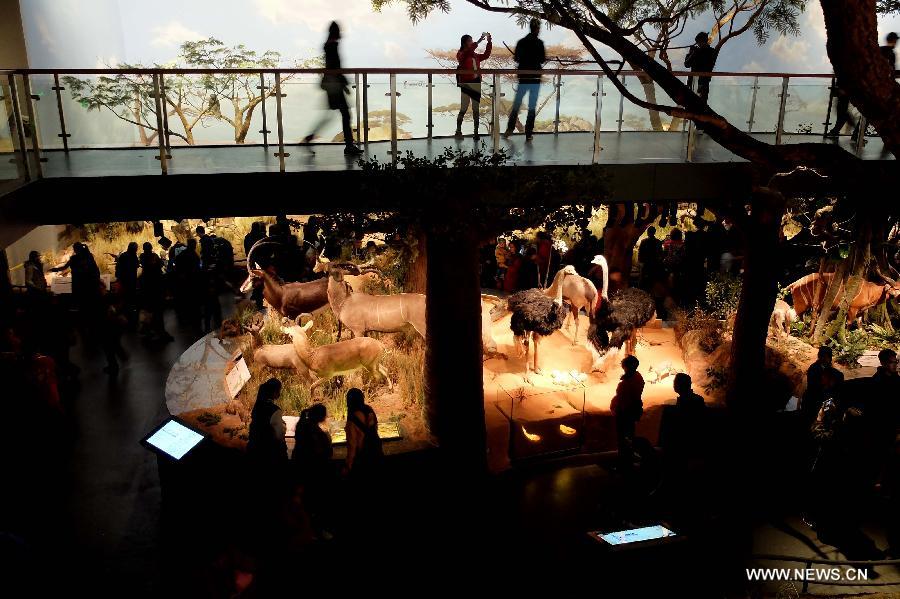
(361, 312)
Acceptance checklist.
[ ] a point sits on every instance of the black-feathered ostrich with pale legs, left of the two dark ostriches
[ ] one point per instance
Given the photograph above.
(534, 315)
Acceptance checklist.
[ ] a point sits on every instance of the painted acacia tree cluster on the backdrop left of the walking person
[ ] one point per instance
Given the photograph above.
(190, 100)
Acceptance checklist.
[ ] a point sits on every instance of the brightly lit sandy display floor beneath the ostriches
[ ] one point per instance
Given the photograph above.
(567, 406)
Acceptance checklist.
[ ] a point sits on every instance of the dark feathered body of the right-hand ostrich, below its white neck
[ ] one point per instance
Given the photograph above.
(615, 323)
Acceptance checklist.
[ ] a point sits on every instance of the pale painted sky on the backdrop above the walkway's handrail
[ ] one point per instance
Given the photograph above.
(89, 33)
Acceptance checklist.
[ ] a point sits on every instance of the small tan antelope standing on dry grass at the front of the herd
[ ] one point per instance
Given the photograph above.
(343, 357)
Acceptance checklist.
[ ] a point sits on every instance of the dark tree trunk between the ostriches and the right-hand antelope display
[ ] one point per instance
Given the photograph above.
(758, 291)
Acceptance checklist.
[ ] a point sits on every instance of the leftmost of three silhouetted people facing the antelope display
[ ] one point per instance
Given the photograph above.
(266, 446)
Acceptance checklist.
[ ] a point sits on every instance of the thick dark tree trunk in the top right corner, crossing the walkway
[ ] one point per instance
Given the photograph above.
(852, 45)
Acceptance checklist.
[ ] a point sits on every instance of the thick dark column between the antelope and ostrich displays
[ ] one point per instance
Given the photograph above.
(454, 393)
